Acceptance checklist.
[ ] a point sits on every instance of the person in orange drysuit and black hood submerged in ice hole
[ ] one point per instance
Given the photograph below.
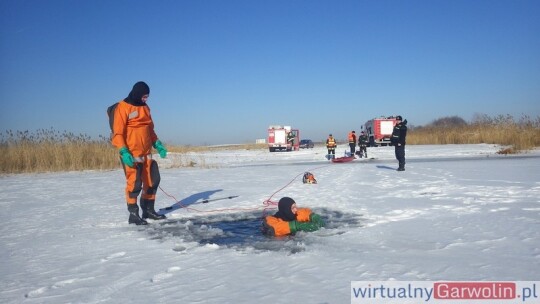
(289, 219)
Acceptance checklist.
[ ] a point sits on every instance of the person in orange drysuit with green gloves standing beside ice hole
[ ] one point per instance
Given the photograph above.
(133, 134)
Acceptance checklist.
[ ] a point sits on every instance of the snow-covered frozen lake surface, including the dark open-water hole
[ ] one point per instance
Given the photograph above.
(459, 212)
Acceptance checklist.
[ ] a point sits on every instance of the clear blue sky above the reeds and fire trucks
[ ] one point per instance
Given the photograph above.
(223, 71)
